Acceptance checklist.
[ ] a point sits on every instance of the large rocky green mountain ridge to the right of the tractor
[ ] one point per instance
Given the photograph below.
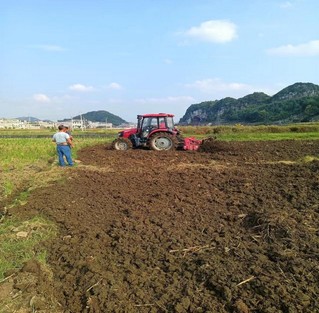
(296, 103)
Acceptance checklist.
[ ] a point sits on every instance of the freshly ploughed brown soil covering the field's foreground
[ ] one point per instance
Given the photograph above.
(233, 228)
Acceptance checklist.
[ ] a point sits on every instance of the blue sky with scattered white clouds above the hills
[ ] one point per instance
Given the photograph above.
(61, 58)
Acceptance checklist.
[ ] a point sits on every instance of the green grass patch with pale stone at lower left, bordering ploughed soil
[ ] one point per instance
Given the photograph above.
(18, 240)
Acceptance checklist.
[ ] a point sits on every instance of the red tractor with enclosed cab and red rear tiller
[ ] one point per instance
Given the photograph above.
(155, 131)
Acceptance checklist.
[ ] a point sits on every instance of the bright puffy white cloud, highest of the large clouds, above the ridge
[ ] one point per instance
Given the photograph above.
(219, 31)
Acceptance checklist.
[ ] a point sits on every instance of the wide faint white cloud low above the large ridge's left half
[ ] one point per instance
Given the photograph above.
(214, 85)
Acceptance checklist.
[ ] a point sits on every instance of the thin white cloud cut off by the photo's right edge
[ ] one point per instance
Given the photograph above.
(310, 48)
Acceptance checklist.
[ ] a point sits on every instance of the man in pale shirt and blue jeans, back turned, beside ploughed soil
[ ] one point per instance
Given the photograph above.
(63, 144)
